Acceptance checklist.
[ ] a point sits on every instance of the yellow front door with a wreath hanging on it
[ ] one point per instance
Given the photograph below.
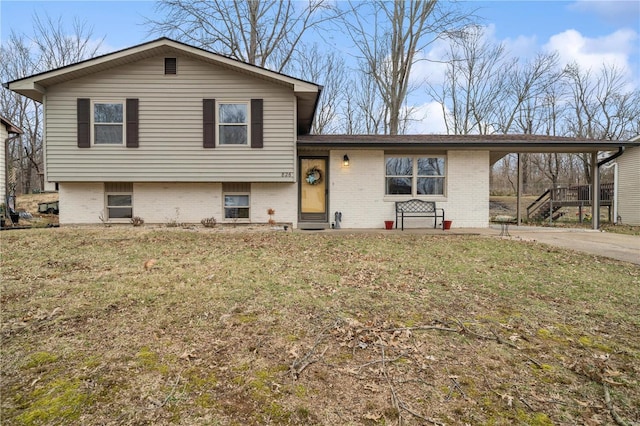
(313, 189)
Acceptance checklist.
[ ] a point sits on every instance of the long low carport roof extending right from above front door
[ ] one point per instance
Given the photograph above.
(498, 144)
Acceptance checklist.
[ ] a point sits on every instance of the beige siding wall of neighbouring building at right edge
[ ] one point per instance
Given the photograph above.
(629, 186)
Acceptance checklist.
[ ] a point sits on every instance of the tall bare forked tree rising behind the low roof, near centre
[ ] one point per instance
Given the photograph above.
(389, 37)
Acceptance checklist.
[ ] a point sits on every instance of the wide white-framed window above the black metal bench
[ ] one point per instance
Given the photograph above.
(415, 175)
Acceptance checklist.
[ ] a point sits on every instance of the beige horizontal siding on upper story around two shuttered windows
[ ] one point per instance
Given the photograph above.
(170, 127)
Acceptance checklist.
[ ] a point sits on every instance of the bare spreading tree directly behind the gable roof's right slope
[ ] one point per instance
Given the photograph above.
(266, 33)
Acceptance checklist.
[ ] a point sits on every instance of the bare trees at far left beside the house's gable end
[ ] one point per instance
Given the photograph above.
(51, 46)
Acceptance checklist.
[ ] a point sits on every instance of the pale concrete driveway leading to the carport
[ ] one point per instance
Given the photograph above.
(608, 244)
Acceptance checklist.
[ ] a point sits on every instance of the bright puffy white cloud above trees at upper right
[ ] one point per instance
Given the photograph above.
(592, 53)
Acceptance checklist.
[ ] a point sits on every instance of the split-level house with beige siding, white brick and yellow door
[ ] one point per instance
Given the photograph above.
(170, 132)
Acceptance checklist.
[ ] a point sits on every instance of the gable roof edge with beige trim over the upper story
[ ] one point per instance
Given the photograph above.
(35, 86)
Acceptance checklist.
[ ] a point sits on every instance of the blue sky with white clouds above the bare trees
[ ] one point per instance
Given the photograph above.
(589, 32)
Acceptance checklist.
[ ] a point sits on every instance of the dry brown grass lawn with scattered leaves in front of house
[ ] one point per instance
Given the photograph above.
(324, 328)
